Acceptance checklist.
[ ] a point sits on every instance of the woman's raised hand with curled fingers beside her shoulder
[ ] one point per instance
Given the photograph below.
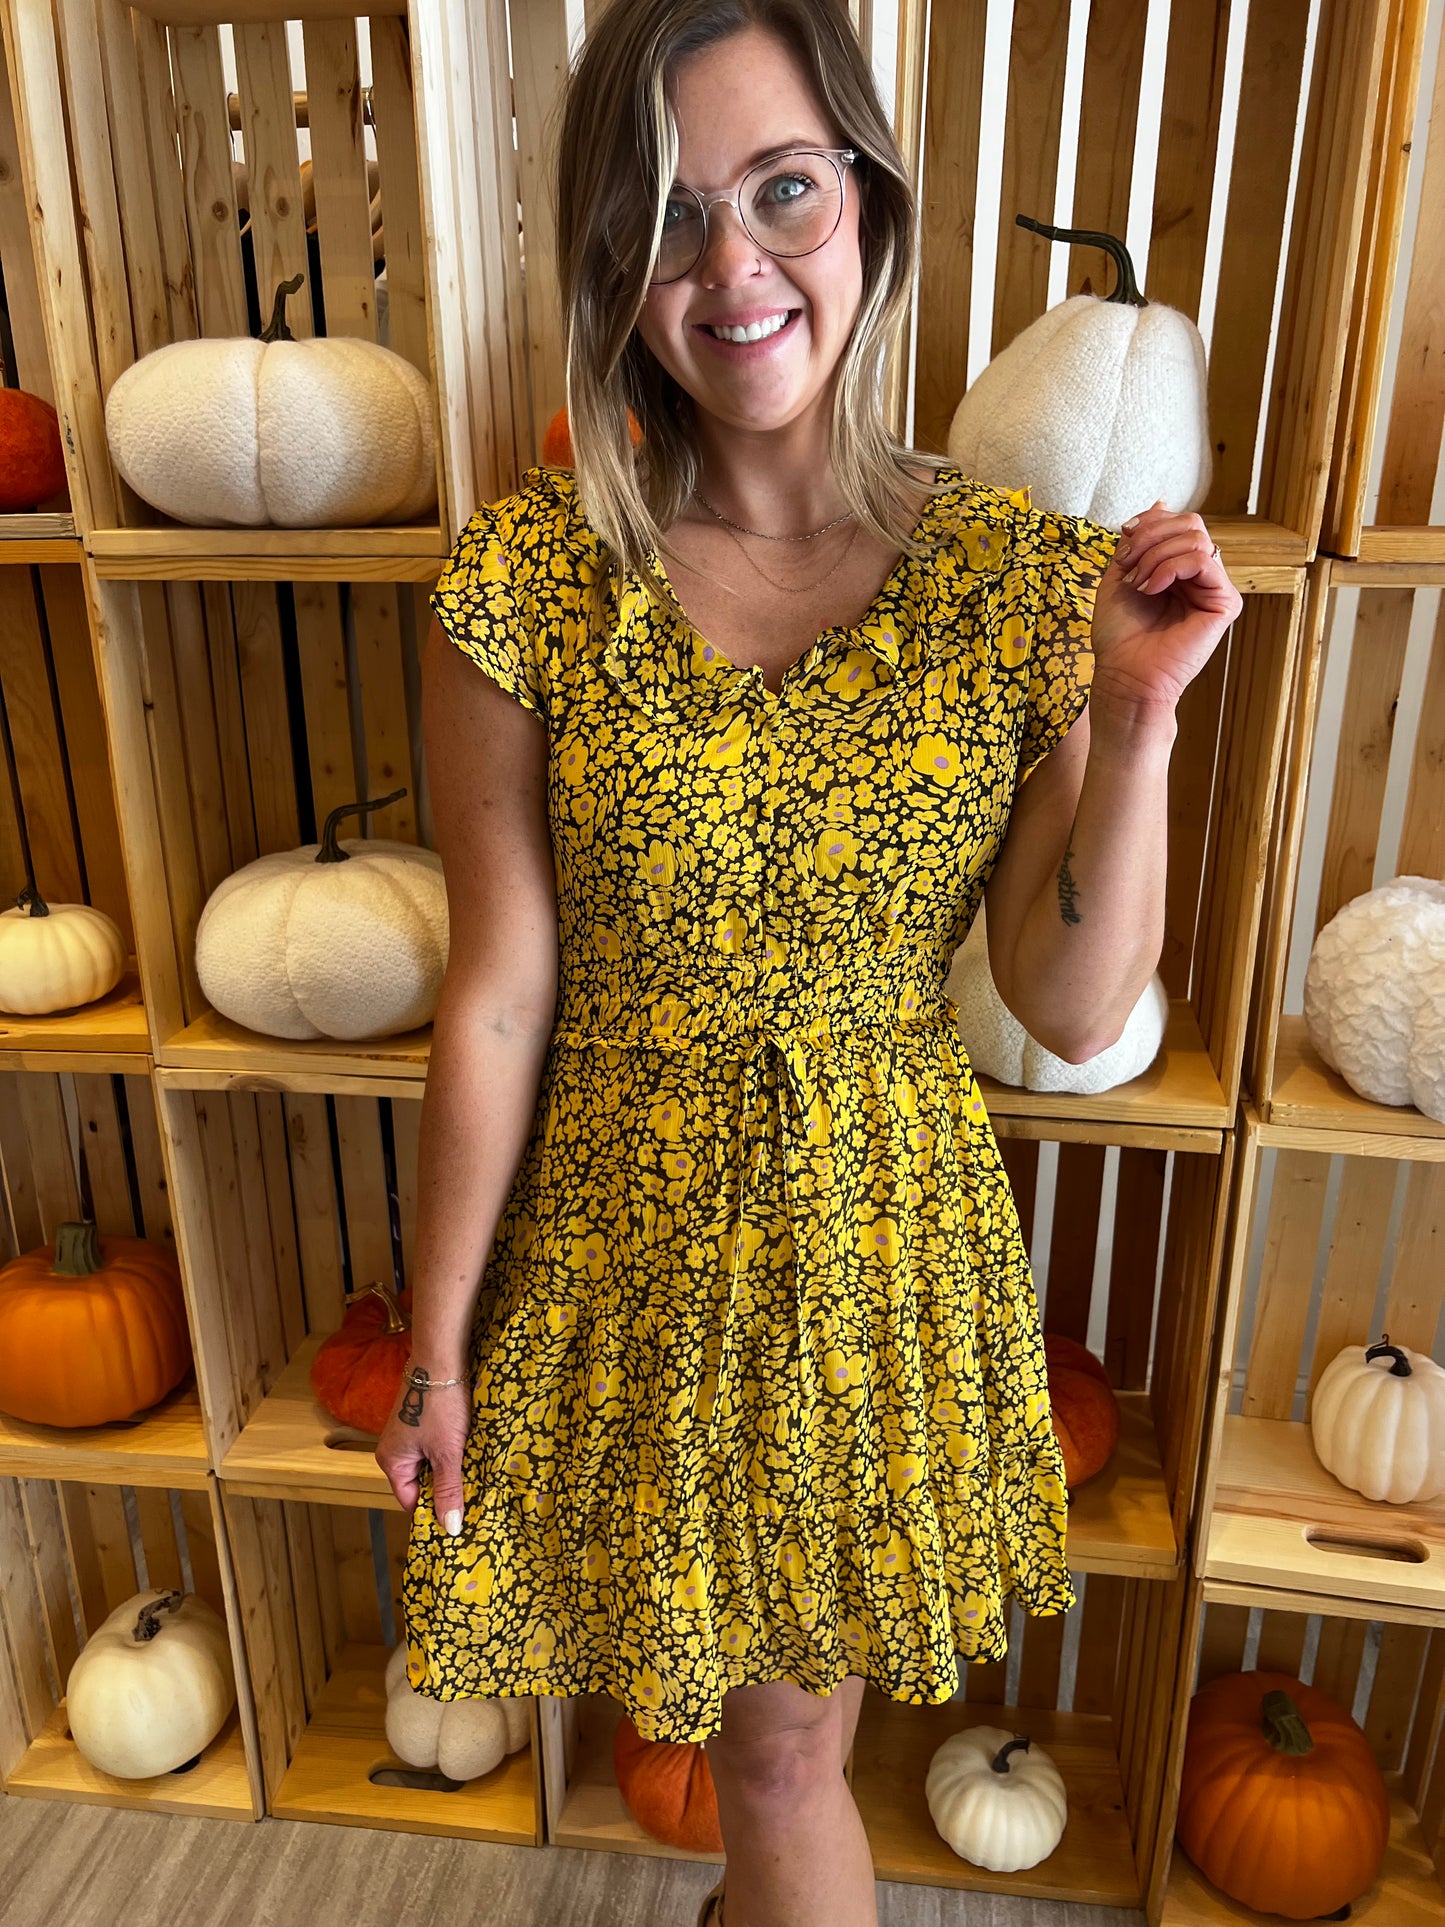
(1153, 637)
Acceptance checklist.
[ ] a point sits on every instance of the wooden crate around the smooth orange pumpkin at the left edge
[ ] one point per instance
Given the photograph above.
(43, 1119)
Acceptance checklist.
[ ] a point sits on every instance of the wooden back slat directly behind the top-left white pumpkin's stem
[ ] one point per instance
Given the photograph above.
(269, 138)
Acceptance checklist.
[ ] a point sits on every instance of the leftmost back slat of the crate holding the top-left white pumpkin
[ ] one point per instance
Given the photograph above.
(205, 130)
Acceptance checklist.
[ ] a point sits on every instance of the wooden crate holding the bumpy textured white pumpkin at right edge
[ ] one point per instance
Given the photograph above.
(1367, 631)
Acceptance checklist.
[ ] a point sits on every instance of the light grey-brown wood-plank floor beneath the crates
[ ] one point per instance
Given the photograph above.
(82, 1866)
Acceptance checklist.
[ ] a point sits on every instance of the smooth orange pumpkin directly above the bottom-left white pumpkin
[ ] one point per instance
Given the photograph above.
(92, 1329)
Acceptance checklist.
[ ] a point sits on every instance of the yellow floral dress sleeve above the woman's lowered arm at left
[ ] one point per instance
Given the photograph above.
(481, 608)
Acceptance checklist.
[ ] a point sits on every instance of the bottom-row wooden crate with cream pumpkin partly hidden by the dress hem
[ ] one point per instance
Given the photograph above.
(321, 1602)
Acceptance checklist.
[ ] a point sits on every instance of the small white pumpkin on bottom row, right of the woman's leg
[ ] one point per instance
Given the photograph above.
(997, 1799)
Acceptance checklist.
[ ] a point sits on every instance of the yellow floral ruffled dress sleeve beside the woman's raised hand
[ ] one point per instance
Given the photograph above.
(1061, 560)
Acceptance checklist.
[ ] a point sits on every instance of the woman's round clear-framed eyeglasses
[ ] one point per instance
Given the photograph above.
(789, 205)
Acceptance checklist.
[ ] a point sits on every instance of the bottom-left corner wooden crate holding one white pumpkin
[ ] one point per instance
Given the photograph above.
(74, 1548)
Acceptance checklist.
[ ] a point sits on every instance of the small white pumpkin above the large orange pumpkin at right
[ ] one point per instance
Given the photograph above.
(1379, 1423)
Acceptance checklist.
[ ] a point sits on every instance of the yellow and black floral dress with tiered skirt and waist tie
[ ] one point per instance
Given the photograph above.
(758, 1379)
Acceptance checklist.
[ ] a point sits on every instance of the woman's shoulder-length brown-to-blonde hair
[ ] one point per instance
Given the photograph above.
(616, 165)
